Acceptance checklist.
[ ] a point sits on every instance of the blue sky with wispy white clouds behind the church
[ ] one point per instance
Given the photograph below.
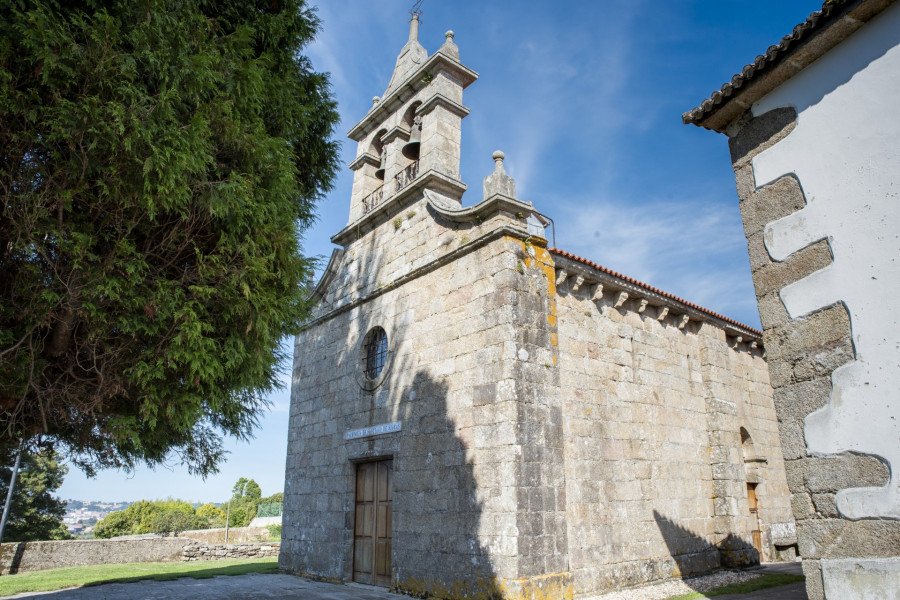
(585, 99)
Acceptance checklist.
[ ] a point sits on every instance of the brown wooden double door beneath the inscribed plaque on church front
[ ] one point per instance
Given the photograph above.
(372, 531)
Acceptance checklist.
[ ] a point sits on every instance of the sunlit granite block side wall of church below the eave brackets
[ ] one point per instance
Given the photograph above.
(655, 473)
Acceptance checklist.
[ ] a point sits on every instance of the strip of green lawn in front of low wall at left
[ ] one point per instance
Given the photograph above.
(57, 579)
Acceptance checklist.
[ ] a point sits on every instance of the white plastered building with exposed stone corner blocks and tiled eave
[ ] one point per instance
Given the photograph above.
(813, 137)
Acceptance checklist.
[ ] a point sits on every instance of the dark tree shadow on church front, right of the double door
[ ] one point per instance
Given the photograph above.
(437, 515)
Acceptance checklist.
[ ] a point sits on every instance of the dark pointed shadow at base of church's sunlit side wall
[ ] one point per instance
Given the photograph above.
(695, 556)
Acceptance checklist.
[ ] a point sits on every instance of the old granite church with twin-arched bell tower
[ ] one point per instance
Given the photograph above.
(476, 414)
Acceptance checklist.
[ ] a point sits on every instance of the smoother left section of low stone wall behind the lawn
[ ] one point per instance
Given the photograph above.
(21, 557)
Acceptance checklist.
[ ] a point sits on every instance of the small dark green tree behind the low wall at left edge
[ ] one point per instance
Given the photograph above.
(35, 514)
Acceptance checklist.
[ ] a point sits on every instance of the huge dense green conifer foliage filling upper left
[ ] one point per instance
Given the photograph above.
(158, 163)
